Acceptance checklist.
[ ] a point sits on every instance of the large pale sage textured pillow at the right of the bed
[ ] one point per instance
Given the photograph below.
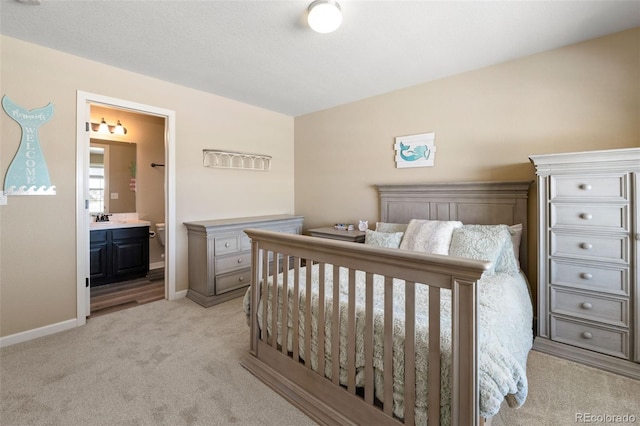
(485, 242)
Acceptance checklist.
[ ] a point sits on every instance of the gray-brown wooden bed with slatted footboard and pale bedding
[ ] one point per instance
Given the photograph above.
(362, 334)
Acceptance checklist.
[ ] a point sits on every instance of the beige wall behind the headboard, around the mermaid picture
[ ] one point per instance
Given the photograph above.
(487, 122)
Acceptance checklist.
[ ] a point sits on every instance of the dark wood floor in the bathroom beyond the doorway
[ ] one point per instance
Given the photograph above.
(114, 297)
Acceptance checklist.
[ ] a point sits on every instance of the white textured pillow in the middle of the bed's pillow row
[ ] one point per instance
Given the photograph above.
(429, 236)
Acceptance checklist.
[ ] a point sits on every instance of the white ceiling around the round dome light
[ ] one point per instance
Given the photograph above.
(262, 53)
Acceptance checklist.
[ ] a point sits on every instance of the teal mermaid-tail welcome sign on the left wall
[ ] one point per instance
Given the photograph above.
(28, 173)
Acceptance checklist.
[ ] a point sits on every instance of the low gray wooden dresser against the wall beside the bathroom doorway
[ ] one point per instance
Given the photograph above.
(220, 255)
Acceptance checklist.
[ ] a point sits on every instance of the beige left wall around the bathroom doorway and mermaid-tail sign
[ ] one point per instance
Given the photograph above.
(37, 233)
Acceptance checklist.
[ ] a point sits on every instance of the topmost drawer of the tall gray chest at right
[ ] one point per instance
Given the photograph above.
(607, 186)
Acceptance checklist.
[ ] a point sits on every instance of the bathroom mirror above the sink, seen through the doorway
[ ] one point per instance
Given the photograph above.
(112, 177)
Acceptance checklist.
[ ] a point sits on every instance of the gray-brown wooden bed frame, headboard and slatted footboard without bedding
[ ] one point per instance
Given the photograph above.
(326, 400)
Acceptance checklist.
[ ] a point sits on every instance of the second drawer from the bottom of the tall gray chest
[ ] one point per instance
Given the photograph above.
(590, 307)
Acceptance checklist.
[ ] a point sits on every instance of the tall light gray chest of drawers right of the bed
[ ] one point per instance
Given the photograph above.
(588, 255)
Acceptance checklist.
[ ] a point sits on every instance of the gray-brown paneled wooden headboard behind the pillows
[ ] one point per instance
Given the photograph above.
(482, 203)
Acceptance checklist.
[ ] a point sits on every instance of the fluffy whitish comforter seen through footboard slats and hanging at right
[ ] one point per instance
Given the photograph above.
(504, 330)
